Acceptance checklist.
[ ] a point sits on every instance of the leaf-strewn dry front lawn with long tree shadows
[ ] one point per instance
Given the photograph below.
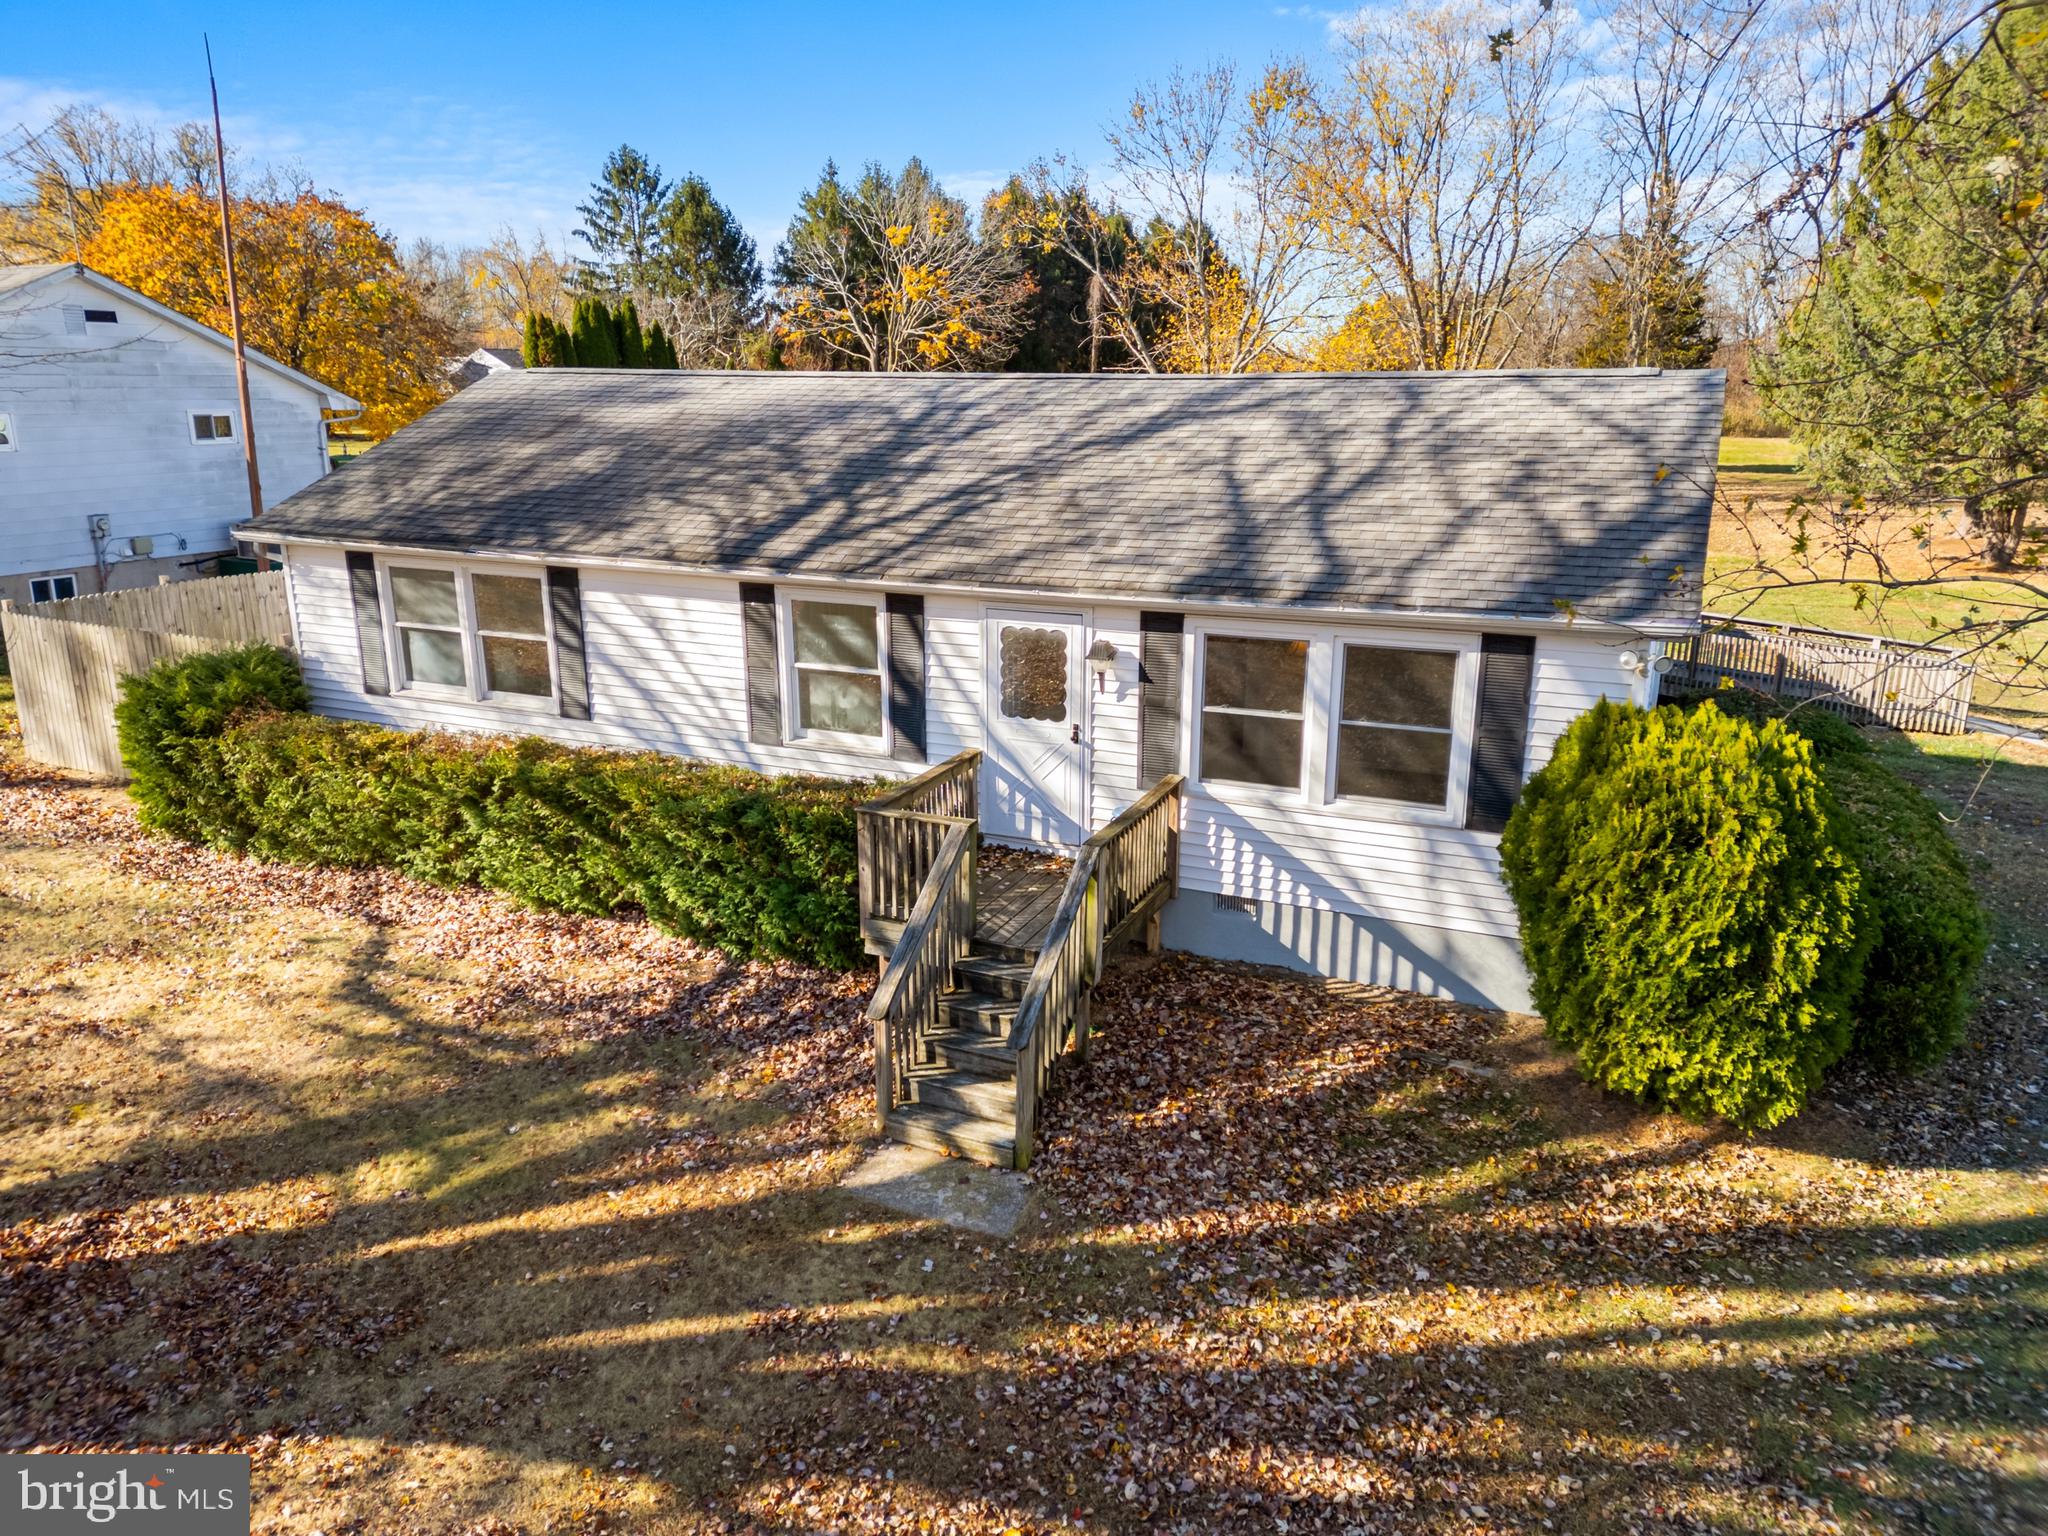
(474, 1222)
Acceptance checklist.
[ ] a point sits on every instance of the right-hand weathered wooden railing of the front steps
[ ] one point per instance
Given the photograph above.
(1121, 878)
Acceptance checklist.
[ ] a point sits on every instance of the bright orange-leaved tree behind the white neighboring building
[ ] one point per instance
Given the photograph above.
(323, 290)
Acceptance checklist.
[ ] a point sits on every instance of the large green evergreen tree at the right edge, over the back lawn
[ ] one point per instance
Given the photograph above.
(1916, 368)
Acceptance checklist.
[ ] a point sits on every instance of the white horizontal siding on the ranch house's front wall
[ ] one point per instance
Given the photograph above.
(667, 673)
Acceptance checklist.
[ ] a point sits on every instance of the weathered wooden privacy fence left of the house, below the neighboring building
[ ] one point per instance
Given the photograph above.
(69, 658)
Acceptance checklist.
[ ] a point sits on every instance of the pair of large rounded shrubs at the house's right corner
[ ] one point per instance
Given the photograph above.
(1719, 906)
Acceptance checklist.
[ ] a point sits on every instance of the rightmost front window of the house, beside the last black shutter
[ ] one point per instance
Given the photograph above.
(1394, 724)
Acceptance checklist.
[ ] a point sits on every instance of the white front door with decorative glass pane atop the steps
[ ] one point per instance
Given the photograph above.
(1033, 773)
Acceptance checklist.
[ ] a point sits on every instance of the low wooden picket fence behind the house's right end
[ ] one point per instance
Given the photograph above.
(1859, 677)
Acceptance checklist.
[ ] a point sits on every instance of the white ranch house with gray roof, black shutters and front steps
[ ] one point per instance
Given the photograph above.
(1332, 620)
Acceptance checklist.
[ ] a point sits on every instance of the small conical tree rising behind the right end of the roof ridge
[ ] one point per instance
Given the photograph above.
(1650, 304)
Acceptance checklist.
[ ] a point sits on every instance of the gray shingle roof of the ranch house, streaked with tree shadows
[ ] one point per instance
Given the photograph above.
(1502, 495)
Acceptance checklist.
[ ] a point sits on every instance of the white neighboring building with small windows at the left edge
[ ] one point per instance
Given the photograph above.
(122, 439)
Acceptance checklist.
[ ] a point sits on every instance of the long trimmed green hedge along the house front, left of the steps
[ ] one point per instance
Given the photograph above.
(755, 865)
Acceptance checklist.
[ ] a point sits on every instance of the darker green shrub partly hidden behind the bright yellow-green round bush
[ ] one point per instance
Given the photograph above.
(1918, 906)
